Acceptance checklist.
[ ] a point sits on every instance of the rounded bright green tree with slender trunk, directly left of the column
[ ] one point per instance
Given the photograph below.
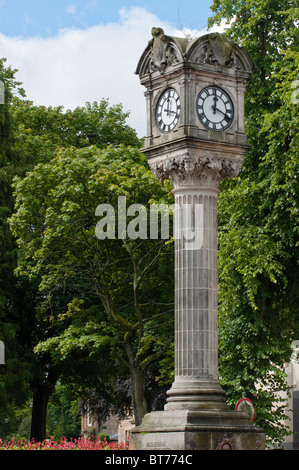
(54, 224)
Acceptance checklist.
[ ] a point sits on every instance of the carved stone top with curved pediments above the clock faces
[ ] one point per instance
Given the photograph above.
(210, 52)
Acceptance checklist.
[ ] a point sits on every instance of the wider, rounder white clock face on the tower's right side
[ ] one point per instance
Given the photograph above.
(215, 108)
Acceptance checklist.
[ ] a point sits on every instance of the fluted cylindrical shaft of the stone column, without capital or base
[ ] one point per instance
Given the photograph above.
(196, 284)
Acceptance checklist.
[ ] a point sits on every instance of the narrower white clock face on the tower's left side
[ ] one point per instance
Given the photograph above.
(168, 110)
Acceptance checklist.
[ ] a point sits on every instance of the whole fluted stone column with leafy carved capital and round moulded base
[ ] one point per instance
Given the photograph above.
(195, 178)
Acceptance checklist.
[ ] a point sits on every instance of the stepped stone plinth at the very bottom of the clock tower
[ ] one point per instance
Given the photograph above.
(197, 430)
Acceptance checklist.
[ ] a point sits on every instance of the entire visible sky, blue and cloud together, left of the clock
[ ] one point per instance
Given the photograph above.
(69, 52)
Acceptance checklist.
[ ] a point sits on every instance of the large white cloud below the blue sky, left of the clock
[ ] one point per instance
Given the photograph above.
(80, 65)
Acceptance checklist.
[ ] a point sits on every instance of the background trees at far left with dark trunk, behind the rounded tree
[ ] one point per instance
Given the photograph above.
(31, 135)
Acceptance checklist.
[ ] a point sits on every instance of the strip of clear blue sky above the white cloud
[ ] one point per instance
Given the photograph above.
(46, 17)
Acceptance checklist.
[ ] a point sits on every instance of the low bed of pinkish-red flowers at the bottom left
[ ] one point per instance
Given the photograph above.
(82, 443)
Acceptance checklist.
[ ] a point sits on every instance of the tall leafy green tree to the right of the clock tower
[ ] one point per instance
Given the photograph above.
(258, 214)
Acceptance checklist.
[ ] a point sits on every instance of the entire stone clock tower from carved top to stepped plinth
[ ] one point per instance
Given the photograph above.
(195, 138)
